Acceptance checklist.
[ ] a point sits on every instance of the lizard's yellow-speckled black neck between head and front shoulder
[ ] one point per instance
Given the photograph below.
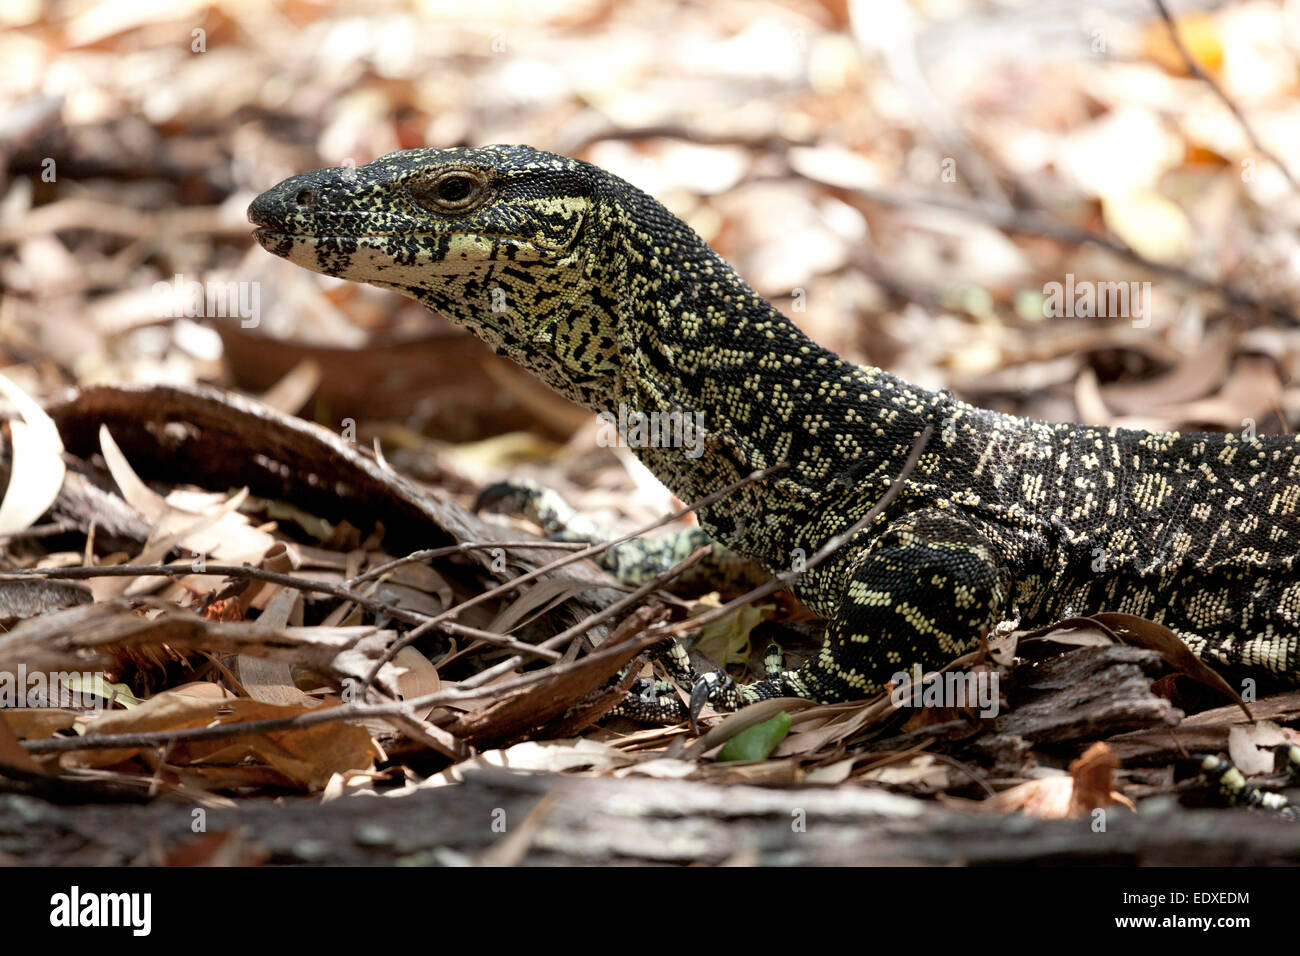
(699, 347)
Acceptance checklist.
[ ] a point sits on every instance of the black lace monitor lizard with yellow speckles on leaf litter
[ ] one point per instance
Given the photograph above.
(604, 295)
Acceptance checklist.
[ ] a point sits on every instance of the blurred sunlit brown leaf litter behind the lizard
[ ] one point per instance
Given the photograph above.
(905, 180)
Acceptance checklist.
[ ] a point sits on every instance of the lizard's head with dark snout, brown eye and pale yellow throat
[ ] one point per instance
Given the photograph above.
(496, 239)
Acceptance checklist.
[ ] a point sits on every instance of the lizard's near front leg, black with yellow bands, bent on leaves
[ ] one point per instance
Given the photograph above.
(922, 592)
